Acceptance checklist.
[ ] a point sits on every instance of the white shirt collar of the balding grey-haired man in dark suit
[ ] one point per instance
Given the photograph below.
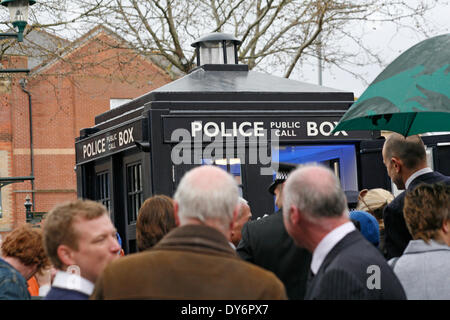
(328, 242)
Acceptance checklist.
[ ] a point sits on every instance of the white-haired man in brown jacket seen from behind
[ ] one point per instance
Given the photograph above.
(194, 260)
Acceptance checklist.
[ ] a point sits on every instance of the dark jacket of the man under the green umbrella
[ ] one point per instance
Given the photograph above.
(397, 235)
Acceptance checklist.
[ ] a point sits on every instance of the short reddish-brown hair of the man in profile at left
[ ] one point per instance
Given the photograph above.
(58, 225)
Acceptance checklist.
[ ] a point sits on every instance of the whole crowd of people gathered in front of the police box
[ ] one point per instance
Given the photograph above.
(203, 244)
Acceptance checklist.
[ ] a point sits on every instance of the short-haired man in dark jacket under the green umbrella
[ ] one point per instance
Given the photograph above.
(406, 164)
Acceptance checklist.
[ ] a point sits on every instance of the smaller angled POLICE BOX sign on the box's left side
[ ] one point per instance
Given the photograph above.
(115, 140)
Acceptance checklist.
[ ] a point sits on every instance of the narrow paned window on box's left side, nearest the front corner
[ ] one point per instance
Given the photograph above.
(134, 190)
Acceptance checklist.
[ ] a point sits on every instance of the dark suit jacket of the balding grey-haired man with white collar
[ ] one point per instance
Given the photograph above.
(354, 269)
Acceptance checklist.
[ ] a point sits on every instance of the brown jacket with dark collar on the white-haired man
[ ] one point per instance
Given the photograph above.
(190, 262)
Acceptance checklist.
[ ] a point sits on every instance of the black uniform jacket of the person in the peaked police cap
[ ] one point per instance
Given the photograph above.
(266, 243)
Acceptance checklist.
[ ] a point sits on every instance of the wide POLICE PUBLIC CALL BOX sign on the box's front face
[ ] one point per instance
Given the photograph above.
(284, 128)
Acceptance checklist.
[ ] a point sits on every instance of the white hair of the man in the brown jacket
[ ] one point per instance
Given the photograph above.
(207, 192)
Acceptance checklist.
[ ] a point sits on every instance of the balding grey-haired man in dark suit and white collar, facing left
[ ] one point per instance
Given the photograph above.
(344, 264)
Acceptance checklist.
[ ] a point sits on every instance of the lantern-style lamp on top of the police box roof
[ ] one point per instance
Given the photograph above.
(216, 48)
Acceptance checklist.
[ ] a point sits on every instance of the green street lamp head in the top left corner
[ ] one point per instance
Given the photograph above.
(18, 10)
